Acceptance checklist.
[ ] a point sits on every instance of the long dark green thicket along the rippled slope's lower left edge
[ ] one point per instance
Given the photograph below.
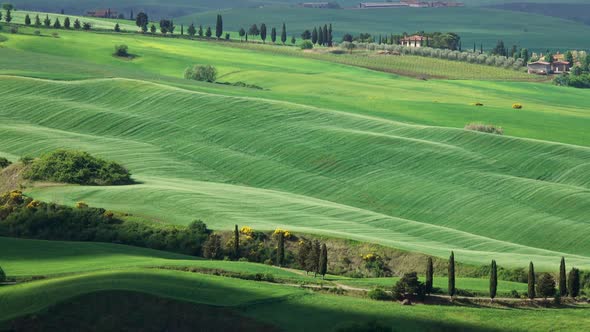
(37, 220)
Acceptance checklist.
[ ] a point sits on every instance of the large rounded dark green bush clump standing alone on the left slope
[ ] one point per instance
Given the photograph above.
(77, 167)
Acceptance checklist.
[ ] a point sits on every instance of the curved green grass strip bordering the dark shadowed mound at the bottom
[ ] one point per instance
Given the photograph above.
(282, 305)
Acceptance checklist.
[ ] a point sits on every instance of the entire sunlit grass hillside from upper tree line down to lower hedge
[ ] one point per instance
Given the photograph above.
(357, 172)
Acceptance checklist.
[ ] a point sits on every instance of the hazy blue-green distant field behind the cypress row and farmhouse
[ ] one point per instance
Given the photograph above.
(474, 25)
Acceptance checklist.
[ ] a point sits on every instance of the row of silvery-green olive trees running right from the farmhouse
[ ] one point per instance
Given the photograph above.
(470, 57)
